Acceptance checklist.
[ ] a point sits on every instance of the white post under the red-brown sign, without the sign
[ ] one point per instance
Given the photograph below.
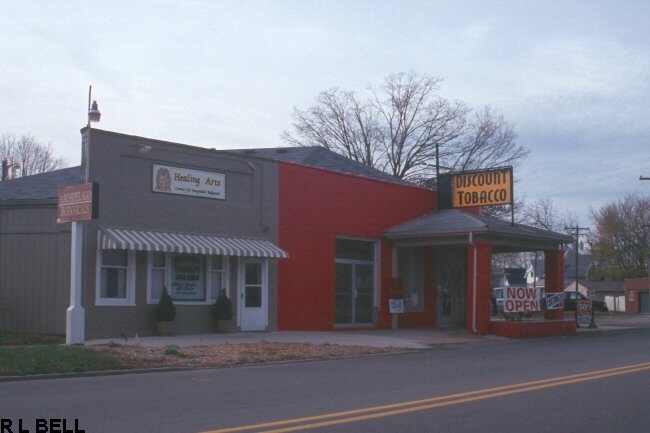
(75, 317)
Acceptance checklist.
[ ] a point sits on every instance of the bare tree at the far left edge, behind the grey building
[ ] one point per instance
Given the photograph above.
(32, 156)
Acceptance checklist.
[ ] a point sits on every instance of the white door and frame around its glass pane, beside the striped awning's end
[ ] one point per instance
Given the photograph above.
(253, 319)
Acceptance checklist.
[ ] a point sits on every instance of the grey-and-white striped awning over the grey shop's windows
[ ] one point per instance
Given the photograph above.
(147, 240)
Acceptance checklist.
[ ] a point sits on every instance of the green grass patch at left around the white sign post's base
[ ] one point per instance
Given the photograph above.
(26, 354)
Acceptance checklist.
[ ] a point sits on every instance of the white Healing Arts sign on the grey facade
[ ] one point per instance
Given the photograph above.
(176, 180)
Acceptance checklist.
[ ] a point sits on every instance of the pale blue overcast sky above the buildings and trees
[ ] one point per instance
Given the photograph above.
(571, 76)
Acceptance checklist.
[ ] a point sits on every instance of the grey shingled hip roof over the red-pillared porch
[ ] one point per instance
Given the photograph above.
(452, 226)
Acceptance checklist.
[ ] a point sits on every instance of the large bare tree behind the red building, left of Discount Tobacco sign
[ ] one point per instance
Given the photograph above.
(396, 130)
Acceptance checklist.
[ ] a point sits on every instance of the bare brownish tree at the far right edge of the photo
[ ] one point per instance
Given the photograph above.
(620, 244)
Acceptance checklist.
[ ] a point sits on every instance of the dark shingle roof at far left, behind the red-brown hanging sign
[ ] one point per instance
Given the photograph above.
(40, 186)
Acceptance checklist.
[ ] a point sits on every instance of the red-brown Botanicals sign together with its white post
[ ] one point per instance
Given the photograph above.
(76, 204)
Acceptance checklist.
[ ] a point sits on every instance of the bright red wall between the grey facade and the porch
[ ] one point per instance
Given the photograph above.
(316, 206)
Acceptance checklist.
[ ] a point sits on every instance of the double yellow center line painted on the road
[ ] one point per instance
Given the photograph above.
(357, 415)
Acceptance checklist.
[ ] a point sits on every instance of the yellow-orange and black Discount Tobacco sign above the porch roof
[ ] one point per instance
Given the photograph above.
(482, 188)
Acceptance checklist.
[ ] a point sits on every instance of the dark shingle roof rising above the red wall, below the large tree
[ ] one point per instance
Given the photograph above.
(316, 156)
